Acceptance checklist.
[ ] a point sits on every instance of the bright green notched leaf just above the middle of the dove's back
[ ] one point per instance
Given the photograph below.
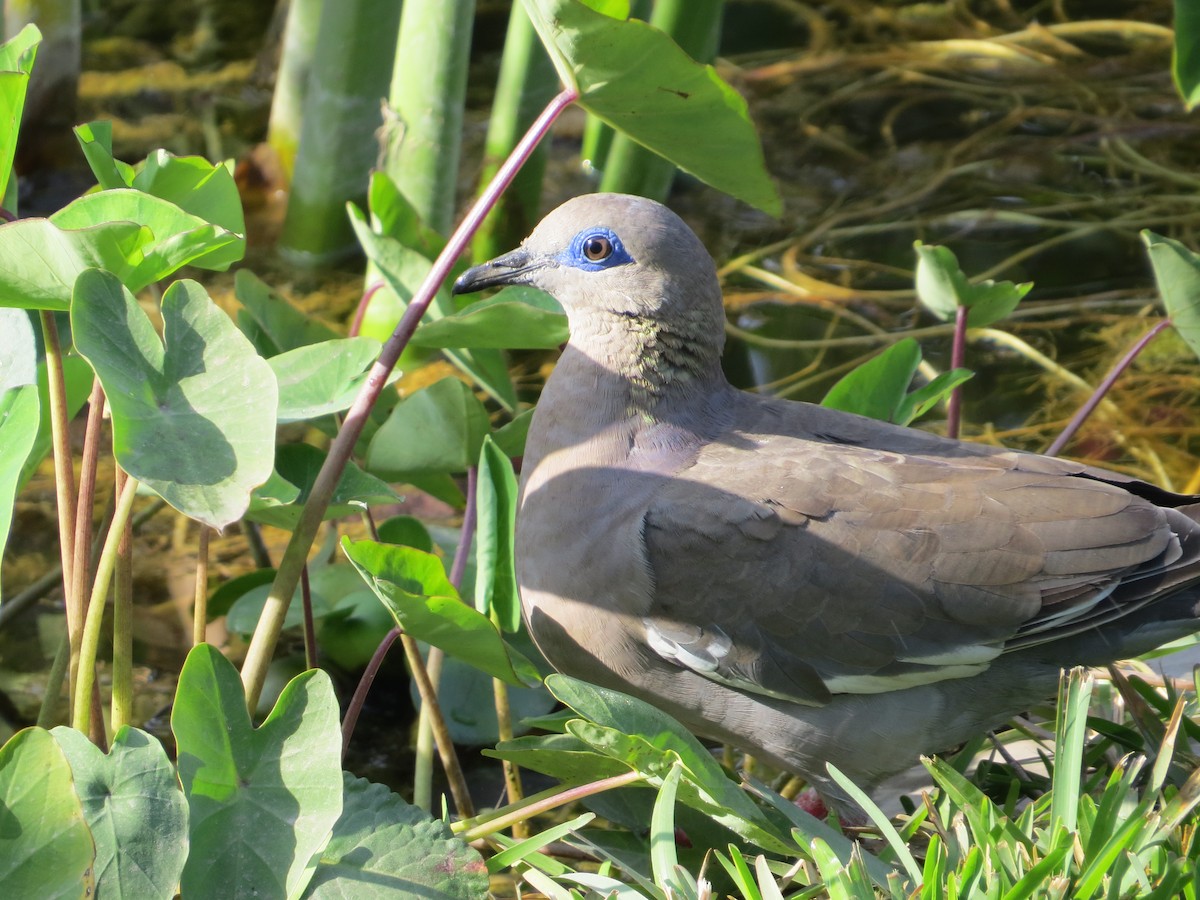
(879, 388)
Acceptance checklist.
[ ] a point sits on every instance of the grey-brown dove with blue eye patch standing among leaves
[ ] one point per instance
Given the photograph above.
(803, 584)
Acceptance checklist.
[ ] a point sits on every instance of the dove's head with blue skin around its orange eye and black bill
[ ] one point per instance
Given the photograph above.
(615, 259)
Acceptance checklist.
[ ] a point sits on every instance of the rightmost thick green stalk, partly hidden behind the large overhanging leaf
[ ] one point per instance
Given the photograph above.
(632, 169)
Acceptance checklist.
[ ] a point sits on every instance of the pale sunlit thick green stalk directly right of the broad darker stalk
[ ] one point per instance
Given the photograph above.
(429, 87)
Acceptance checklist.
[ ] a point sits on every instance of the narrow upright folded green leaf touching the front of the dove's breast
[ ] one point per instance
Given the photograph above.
(496, 496)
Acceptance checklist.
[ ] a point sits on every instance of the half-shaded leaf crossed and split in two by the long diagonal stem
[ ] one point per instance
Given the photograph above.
(298, 466)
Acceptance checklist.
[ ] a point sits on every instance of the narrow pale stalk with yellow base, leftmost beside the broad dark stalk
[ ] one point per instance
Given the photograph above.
(292, 81)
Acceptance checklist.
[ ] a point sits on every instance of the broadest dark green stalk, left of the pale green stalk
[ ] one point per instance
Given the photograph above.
(338, 143)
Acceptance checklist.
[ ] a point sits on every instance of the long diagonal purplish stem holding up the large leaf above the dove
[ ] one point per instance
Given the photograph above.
(262, 646)
